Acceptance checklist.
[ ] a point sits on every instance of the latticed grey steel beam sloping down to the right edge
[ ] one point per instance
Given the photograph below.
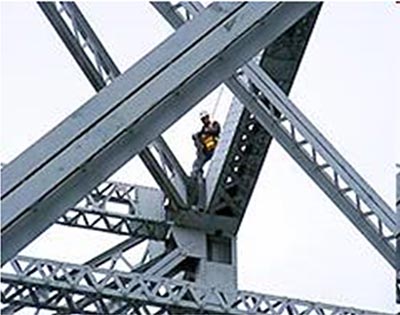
(353, 196)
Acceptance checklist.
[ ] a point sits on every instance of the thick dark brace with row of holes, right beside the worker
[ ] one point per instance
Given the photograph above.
(233, 171)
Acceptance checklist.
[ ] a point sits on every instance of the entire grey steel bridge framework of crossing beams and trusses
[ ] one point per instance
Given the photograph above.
(172, 277)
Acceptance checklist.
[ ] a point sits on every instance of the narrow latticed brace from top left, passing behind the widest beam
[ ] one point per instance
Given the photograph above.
(100, 69)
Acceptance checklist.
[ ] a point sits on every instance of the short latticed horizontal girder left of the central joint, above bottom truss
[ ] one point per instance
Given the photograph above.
(140, 211)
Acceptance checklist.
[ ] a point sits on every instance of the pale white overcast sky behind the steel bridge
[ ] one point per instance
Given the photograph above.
(293, 240)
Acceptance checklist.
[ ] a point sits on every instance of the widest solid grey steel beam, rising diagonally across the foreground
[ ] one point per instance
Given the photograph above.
(125, 116)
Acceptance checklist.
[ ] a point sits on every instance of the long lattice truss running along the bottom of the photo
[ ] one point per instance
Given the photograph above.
(138, 293)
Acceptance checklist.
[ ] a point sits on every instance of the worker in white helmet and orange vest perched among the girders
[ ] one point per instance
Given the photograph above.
(206, 141)
